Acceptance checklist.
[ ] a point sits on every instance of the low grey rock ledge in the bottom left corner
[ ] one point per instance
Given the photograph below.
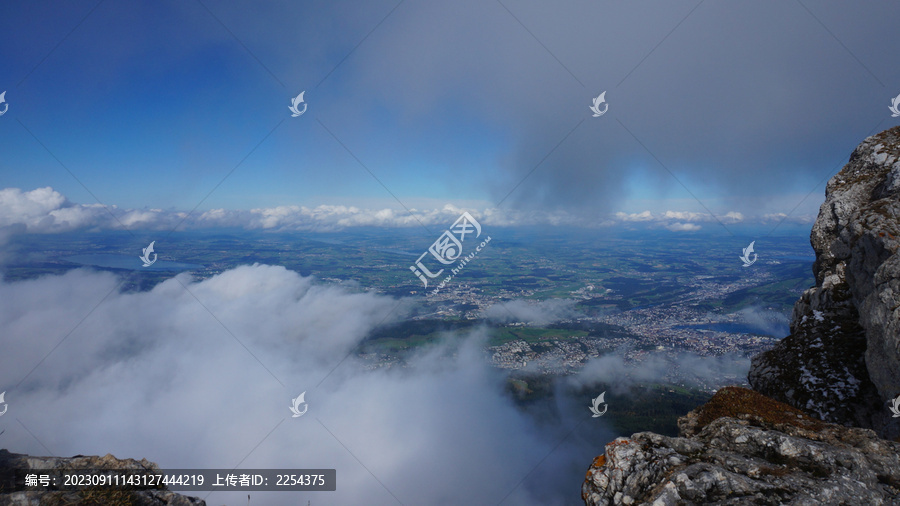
(10, 462)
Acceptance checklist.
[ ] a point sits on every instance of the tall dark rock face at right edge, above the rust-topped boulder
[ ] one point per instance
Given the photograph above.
(842, 359)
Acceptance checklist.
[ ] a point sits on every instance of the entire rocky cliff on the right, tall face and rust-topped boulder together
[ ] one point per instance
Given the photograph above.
(817, 428)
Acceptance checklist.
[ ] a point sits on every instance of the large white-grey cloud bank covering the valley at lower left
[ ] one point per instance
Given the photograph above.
(200, 374)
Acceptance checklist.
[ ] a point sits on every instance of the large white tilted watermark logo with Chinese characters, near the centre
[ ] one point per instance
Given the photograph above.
(448, 249)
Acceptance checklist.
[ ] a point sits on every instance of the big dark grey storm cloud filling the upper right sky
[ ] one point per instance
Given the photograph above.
(741, 100)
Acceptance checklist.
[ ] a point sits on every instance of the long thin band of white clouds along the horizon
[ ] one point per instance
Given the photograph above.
(45, 210)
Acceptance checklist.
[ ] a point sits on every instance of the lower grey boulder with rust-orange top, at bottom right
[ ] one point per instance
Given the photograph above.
(744, 448)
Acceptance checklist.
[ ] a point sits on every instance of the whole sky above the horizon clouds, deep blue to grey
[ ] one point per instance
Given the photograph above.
(721, 108)
